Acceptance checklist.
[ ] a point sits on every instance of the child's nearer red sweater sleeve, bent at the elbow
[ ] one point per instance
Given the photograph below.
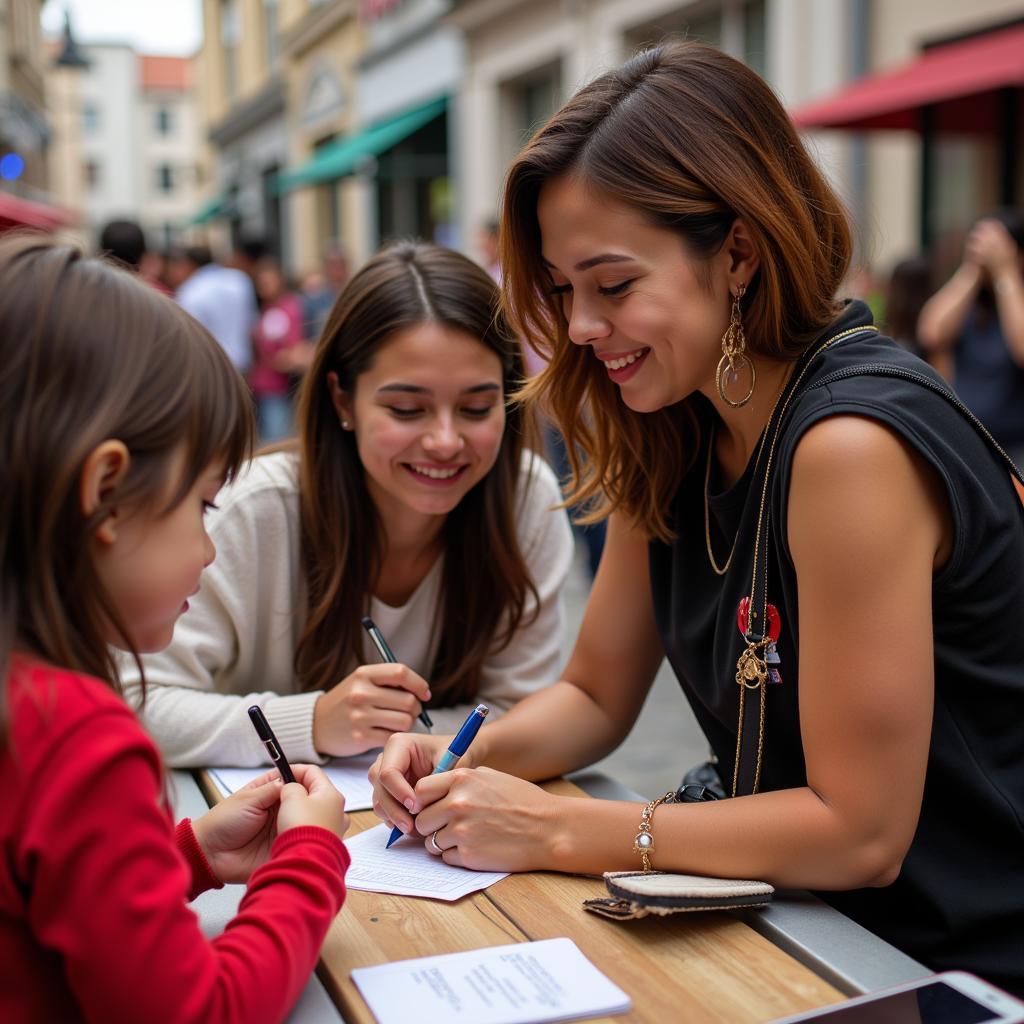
(109, 889)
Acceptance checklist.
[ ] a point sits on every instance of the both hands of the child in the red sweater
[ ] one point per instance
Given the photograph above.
(237, 835)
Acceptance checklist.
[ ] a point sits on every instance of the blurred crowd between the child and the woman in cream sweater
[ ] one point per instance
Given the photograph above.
(266, 323)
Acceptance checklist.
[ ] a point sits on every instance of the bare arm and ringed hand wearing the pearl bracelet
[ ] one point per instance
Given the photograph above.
(868, 524)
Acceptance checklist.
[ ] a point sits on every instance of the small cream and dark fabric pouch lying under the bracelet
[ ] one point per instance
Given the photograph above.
(638, 894)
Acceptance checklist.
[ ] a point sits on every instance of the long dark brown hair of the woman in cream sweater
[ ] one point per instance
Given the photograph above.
(486, 583)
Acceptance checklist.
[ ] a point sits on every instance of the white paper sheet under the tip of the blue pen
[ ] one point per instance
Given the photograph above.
(407, 869)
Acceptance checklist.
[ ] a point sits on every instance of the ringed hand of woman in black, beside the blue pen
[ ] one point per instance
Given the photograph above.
(490, 822)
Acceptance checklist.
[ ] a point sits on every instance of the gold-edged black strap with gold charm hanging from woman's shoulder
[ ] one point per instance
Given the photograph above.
(752, 669)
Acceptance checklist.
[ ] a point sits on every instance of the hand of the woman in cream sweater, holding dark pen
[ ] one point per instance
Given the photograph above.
(367, 708)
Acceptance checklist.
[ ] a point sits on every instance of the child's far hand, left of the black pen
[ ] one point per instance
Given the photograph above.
(236, 836)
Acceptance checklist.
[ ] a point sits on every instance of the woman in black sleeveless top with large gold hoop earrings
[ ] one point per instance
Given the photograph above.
(823, 541)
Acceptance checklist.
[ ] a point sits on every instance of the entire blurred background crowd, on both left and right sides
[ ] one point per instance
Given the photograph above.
(970, 329)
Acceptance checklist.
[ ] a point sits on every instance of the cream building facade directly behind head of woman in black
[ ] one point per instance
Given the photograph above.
(525, 58)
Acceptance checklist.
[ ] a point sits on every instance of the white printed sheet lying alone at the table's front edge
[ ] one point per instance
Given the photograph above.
(523, 984)
